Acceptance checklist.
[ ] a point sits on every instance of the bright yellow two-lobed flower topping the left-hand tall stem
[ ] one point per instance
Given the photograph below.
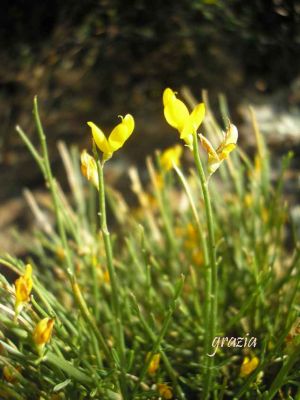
(116, 139)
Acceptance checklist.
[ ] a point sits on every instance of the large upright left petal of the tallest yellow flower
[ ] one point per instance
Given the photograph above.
(175, 111)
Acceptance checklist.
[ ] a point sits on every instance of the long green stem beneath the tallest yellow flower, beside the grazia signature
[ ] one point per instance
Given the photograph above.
(211, 276)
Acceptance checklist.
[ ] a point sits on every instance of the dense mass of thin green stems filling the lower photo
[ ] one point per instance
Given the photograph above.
(120, 299)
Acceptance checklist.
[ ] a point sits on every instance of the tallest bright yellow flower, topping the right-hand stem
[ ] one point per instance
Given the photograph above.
(178, 116)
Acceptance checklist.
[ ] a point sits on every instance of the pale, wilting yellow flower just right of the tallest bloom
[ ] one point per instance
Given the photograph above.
(216, 157)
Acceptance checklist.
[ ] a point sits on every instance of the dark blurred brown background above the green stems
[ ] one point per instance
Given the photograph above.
(94, 60)
